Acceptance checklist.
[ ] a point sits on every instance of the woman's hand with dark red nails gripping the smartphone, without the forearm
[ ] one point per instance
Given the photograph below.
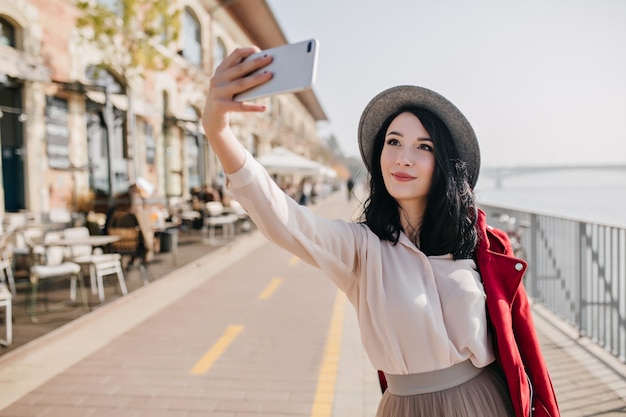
(230, 78)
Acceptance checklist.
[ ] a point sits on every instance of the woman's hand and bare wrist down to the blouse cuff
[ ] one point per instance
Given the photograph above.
(231, 77)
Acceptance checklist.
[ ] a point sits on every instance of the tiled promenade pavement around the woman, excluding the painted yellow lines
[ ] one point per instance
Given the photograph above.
(123, 358)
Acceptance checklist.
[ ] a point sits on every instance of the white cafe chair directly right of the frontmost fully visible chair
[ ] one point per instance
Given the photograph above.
(99, 264)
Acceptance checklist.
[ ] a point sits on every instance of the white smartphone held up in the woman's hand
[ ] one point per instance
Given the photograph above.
(293, 67)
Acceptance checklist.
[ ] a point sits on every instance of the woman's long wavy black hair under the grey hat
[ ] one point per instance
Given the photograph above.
(449, 223)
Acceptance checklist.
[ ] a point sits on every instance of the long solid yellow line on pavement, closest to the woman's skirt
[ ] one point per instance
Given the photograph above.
(325, 392)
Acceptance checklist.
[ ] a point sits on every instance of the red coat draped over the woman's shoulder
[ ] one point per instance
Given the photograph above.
(512, 328)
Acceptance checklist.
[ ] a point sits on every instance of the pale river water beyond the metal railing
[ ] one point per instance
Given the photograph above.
(596, 196)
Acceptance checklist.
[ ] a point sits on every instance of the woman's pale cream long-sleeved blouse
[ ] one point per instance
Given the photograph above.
(416, 313)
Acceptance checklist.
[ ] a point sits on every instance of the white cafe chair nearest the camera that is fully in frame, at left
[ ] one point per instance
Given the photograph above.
(52, 267)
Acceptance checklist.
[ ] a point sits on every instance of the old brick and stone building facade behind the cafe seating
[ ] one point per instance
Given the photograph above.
(71, 127)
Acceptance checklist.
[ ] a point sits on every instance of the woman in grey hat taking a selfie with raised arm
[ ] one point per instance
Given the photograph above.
(410, 268)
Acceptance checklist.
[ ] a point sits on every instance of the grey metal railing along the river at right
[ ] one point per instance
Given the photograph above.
(577, 269)
